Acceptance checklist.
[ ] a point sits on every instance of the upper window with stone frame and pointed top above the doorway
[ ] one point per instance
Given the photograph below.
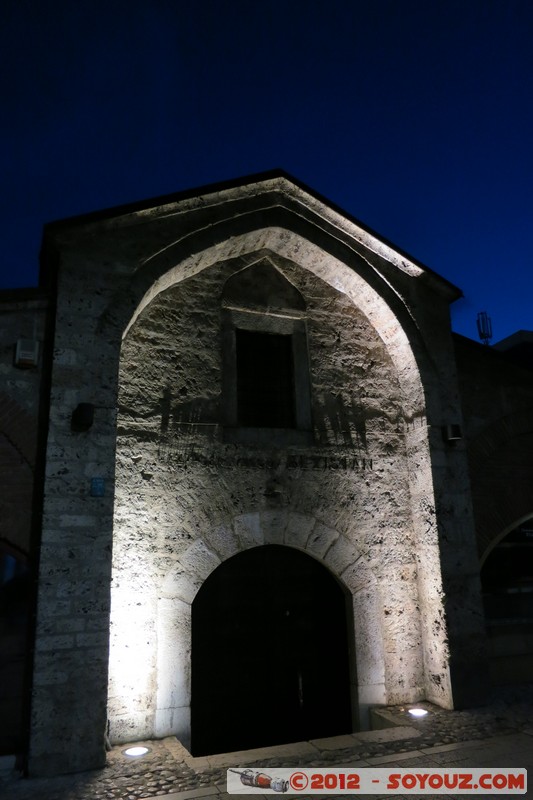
(266, 392)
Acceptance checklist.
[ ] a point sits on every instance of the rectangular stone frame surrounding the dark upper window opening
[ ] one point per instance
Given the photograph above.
(291, 324)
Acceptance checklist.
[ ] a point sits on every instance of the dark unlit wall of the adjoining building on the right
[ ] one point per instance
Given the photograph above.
(497, 398)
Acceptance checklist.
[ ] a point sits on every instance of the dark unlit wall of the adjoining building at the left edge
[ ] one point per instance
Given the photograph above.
(23, 315)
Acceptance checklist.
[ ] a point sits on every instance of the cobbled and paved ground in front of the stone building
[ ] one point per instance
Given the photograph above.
(168, 768)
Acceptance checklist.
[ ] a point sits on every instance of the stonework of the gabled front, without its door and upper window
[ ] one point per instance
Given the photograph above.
(376, 494)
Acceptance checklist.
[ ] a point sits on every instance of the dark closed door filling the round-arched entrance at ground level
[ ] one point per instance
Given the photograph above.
(269, 653)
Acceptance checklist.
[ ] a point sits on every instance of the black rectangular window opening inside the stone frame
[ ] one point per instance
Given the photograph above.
(265, 380)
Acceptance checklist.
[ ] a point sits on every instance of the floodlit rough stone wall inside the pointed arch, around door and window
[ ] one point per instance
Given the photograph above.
(185, 500)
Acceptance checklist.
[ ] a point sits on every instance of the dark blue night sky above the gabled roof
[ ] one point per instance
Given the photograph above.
(414, 116)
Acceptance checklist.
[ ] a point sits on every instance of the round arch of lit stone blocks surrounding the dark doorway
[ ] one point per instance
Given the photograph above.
(170, 673)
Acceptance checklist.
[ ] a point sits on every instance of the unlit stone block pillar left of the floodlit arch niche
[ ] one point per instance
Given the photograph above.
(68, 715)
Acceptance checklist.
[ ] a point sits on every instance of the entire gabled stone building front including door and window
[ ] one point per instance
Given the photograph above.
(249, 390)
